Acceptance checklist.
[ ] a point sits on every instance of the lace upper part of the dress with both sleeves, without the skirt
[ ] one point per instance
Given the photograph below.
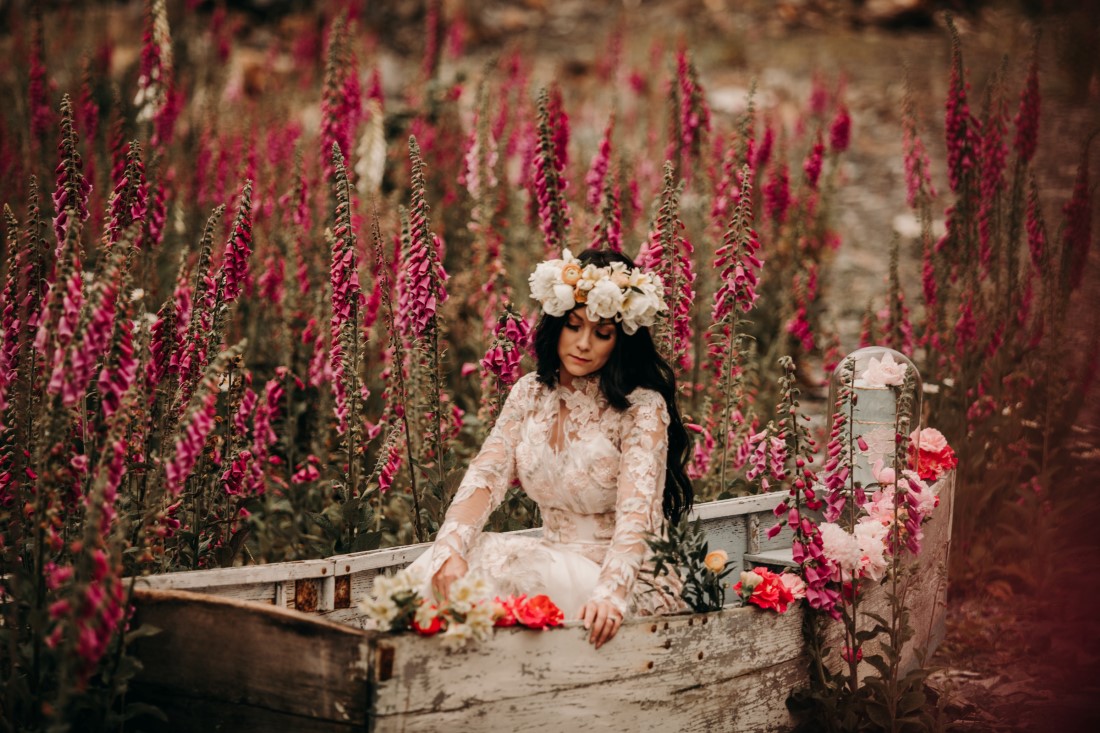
(598, 475)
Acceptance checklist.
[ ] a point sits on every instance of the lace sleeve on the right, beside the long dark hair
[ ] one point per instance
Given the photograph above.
(641, 491)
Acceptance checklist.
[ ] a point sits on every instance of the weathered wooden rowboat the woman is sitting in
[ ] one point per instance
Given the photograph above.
(279, 648)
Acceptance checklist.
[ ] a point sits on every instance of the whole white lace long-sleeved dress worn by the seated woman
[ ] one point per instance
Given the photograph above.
(598, 476)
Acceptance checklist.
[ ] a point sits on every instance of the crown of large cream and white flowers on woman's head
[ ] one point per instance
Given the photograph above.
(617, 293)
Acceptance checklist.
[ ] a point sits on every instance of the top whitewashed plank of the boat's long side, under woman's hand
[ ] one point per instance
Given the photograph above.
(659, 657)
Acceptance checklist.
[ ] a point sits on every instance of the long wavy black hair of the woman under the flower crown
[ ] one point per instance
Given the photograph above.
(634, 364)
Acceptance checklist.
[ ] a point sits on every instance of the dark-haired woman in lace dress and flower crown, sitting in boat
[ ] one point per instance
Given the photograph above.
(596, 439)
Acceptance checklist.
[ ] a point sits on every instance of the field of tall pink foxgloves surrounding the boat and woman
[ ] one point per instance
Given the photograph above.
(268, 311)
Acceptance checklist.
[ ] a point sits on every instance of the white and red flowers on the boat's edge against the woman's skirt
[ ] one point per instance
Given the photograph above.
(469, 614)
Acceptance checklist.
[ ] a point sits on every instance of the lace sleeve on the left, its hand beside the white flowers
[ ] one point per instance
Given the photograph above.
(488, 479)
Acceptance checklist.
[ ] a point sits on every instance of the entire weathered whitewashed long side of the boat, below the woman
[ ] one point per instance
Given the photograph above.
(730, 671)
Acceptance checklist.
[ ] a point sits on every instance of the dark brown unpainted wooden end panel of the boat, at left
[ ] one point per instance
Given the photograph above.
(270, 662)
